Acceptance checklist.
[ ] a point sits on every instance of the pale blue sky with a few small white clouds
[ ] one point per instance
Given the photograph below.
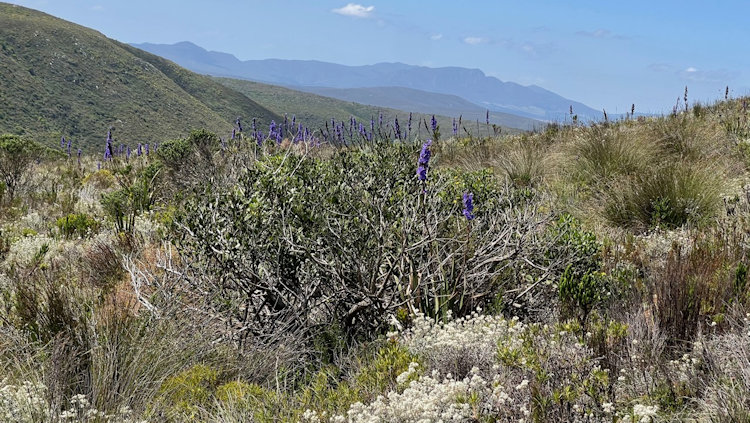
(605, 54)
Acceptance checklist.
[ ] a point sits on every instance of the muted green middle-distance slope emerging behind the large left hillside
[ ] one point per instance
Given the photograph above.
(316, 110)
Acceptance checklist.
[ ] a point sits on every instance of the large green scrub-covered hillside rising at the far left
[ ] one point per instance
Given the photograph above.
(60, 78)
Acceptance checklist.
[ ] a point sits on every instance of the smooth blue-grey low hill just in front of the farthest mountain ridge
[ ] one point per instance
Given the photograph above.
(425, 102)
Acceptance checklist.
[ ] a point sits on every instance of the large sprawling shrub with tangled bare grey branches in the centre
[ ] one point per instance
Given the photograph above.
(344, 241)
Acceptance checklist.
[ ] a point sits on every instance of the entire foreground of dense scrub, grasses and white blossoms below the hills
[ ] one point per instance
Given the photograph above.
(582, 273)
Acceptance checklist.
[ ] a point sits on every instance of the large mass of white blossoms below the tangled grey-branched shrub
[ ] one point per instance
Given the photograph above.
(490, 390)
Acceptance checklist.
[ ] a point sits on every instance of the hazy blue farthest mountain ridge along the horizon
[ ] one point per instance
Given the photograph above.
(470, 84)
